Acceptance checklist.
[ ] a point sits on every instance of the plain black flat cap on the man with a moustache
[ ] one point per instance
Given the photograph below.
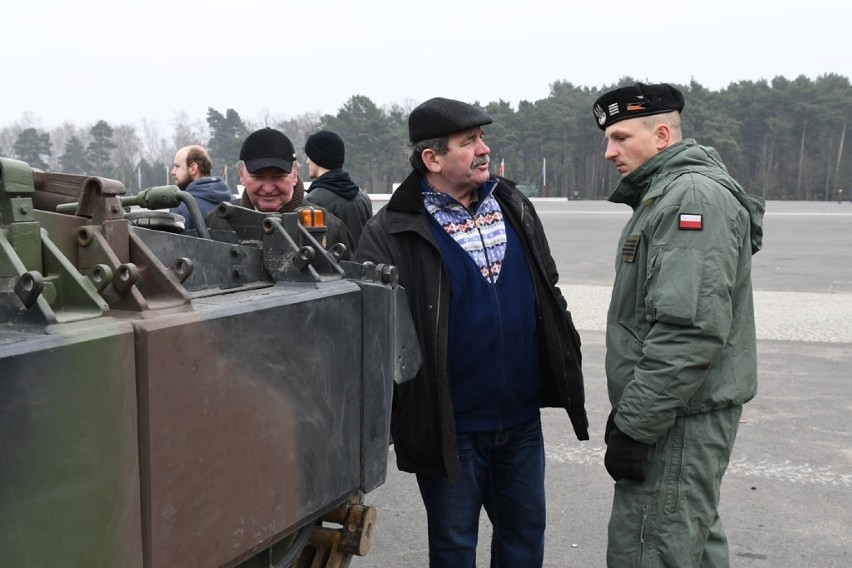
(441, 117)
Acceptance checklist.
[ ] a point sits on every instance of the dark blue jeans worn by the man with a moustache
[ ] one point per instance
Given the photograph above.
(502, 471)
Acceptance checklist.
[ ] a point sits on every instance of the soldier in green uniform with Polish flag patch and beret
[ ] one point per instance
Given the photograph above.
(681, 347)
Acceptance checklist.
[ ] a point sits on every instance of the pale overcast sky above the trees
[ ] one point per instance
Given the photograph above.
(86, 60)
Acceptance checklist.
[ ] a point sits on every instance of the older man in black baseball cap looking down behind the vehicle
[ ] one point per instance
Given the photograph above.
(270, 175)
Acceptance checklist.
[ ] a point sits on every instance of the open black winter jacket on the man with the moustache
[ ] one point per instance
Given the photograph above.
(423, 425)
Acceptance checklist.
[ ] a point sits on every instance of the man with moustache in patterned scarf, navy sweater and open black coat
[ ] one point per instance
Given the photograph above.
(497, 338)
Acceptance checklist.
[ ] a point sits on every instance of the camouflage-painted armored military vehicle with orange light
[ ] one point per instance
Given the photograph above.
(172, 399)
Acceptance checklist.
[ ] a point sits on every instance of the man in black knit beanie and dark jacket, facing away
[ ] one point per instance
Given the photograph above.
(332, 186)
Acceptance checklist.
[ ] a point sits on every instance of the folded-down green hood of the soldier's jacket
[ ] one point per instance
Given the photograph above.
(651, 179)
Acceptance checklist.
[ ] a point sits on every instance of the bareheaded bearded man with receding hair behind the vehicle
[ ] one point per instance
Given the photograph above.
(191, 172)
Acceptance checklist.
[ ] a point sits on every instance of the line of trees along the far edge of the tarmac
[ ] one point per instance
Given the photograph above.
(781, 139)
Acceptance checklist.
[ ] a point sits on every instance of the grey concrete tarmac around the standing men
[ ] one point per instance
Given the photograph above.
(787, 495)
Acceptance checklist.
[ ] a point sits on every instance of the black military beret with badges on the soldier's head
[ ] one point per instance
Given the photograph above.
(636, 100)
